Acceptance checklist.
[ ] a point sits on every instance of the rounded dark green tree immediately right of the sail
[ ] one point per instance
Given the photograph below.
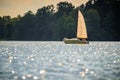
(92, 23)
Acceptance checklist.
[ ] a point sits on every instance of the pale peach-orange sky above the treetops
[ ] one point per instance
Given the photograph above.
(20, 7)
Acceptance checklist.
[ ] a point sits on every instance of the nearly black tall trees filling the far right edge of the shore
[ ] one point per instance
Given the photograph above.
(109, 18)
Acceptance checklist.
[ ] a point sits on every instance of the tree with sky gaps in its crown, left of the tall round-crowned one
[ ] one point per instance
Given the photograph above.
(45, 22)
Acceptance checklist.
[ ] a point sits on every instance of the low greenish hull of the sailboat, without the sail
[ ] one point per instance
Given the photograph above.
(75, 41)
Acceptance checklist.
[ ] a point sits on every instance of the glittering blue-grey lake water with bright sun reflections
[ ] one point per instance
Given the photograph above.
(24, 60)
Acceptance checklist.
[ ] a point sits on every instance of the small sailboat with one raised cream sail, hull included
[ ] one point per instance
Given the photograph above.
(81, 32)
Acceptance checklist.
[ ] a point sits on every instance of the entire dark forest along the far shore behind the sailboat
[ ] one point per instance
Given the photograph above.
(102, 19)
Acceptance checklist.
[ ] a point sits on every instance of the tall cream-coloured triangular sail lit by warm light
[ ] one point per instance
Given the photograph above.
(81, 27)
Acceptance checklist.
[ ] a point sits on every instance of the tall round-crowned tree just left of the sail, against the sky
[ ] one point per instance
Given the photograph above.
(65, 22)
